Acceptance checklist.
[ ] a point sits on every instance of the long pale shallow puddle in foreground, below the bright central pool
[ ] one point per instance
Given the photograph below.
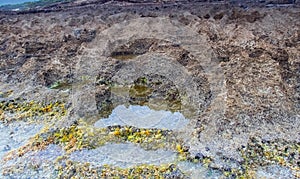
(123, 155)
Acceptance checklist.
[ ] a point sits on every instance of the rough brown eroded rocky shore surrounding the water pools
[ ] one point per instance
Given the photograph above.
(234, 74)
